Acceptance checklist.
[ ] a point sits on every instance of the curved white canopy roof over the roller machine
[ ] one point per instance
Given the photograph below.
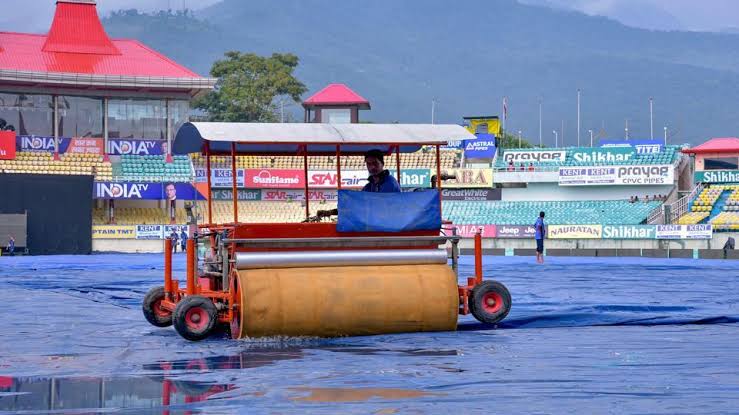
(255, 138)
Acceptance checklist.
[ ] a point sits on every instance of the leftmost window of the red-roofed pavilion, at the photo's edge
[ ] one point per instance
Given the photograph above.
(27, 114)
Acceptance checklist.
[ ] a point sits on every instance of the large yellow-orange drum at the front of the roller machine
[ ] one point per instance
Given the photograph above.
(349, 300)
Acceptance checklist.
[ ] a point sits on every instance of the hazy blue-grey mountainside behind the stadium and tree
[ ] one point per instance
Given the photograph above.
(467, 55)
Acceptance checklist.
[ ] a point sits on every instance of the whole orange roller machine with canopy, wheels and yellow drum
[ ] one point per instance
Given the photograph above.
(382, 267)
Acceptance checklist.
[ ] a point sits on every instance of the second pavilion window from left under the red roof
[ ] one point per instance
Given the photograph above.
(80, 117)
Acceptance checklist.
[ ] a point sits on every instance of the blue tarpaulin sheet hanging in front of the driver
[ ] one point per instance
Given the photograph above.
(388, 212)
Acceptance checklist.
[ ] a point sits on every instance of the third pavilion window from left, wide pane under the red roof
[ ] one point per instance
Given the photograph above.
(137, 118)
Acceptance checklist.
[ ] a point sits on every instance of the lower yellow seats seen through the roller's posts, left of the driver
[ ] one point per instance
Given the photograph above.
(261, 212)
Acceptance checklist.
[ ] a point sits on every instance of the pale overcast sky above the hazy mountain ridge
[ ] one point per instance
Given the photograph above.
(698, 15)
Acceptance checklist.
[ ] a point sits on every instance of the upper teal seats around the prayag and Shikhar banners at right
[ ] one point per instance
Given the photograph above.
(668, 156)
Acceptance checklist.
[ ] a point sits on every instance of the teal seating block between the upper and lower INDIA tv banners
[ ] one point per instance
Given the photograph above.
(153, 169)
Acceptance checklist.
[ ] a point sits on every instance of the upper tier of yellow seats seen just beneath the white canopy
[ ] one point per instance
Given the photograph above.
(426, 158)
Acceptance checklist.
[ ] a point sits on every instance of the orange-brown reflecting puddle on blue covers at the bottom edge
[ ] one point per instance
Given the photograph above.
(357, 394)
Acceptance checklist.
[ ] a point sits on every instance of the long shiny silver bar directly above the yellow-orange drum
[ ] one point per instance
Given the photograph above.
(340, 258)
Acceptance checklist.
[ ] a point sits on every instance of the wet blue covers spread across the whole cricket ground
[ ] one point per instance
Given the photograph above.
(586, 335)
